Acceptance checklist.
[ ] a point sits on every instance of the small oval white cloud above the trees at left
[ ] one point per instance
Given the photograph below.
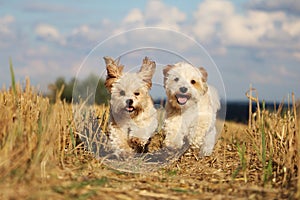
(49, 33)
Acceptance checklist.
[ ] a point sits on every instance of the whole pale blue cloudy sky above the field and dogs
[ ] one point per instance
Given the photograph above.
(251, 41)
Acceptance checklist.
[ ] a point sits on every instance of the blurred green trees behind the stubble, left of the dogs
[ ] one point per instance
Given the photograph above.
(63, 90)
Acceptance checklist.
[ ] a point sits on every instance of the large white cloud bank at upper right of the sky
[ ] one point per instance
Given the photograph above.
(219, 21)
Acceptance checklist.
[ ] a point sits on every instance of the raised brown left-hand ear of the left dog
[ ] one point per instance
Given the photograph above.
(114, 72)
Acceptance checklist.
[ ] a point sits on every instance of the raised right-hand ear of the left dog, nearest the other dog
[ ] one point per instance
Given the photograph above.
(147, 70)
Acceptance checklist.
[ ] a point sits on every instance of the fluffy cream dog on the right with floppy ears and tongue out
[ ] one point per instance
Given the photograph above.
(191, 108)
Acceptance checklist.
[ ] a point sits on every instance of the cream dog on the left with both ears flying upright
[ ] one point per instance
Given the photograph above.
(133, 118)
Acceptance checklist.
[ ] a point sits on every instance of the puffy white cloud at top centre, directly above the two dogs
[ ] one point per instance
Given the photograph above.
(155, 14)
